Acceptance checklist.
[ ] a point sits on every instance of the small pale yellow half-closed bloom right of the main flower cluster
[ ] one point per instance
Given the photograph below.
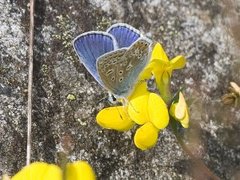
(179, 111)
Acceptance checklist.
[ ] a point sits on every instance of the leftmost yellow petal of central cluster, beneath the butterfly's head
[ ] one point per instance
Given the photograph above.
(115, 118)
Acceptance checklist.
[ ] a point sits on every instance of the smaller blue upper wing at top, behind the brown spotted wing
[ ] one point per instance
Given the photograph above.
(125, 34)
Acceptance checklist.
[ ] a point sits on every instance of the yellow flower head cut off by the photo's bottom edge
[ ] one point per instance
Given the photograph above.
(79, 170)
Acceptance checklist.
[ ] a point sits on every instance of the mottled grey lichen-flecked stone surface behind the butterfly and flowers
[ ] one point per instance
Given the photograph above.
(193, 28)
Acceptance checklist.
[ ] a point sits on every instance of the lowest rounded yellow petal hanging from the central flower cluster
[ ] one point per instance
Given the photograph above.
(146, 136)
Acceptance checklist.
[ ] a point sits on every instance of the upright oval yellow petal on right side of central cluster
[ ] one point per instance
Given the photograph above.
(157, 110)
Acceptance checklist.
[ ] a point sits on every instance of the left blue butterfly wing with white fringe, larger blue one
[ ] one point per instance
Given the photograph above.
(91, 45)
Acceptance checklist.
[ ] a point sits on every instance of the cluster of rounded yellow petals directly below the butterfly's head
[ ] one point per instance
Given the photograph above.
(144, 108)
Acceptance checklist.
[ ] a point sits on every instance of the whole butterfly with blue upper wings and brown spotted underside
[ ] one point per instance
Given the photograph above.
(115, 58)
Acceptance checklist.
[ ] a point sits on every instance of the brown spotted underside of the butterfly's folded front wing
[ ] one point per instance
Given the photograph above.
(124, 67)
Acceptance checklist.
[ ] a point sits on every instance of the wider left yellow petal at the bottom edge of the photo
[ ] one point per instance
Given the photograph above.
(39, 171)
